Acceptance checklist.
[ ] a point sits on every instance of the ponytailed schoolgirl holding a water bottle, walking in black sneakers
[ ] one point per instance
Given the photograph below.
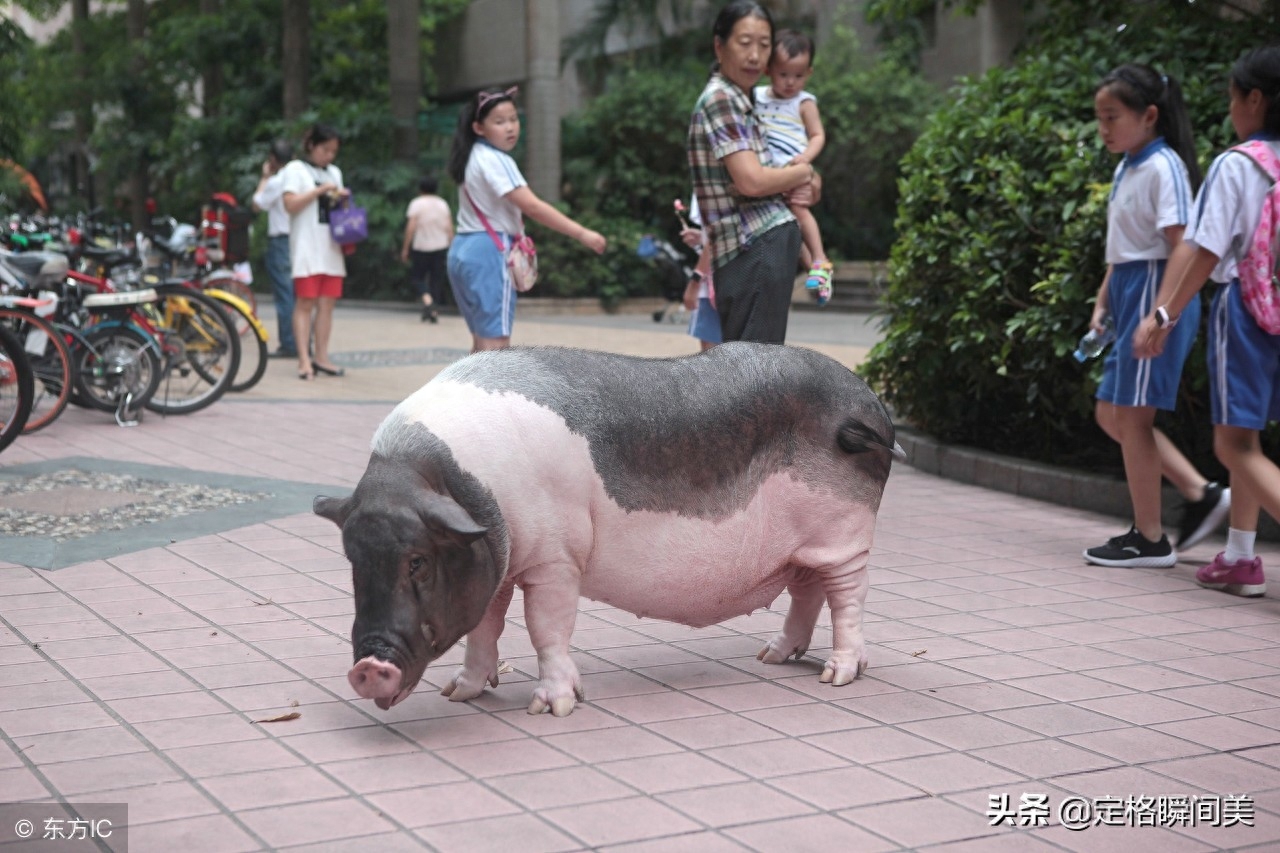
(1141, 115)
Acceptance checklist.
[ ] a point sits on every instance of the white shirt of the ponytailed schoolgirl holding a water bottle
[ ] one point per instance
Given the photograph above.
(1151, 191)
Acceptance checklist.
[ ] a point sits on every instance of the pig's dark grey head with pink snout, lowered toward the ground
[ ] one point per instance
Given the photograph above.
(423, 572)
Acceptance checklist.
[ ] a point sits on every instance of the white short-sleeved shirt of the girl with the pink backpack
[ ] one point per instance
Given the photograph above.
(1228, 209)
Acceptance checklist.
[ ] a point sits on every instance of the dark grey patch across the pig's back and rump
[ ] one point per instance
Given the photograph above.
(698, 436)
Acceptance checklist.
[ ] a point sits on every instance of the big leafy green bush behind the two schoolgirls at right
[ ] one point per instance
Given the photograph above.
(1002, 226)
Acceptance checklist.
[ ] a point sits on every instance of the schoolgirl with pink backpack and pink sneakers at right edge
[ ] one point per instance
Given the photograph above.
(1223, 244)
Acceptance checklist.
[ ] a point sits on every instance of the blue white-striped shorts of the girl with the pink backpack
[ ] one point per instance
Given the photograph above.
(1244, 364)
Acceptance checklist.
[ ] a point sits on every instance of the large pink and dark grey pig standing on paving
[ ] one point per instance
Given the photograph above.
(689, 490)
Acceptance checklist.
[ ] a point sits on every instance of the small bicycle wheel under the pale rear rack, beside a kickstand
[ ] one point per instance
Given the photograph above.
(113, 363)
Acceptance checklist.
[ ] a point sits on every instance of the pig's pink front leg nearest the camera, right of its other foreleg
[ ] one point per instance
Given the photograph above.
(551, 610)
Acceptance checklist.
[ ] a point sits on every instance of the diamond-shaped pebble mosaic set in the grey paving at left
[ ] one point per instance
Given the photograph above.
(72, 504)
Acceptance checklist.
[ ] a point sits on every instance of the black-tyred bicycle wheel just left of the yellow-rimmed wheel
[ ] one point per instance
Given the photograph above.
(200, 349)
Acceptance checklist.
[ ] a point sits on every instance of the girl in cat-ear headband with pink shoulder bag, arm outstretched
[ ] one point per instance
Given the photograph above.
(491, 188)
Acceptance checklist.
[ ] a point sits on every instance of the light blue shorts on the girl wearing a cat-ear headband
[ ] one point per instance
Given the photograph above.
(482, 285)
